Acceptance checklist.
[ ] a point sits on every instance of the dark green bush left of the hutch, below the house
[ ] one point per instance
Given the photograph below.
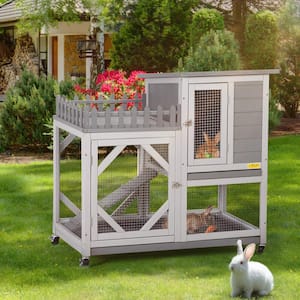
(28, 106)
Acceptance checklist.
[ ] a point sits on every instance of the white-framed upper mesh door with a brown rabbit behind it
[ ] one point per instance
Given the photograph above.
(208, 112)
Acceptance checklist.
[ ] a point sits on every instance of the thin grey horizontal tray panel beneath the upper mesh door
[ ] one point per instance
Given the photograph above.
(224, 174)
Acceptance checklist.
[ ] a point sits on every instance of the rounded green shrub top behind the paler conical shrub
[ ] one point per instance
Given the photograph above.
(204, 20)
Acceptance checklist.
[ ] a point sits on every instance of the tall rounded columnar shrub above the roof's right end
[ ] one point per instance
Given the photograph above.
(261, 40)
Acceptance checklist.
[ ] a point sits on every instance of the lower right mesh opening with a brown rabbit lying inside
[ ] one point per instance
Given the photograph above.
(232, 208)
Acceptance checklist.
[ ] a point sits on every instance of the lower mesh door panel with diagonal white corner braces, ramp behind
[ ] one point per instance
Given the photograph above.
(132, 190)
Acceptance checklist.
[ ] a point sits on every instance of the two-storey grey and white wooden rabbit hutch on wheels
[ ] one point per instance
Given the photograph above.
(185, 167)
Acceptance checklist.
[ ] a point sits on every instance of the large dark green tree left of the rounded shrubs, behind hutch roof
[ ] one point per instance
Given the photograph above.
(153, 36)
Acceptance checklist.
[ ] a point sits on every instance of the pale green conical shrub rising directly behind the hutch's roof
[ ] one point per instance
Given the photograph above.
(216, 51)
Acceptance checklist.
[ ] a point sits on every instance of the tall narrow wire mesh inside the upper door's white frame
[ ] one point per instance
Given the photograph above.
(207, 118)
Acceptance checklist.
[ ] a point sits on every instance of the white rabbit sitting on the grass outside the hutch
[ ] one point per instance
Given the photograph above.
(248, 277)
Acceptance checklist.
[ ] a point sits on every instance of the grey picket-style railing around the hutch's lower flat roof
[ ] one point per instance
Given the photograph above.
(113, 114)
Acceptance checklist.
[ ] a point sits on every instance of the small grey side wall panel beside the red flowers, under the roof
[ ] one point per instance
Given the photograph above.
(163, 94)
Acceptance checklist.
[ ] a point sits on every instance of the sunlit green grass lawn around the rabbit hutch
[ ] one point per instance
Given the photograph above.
(31, 268)
